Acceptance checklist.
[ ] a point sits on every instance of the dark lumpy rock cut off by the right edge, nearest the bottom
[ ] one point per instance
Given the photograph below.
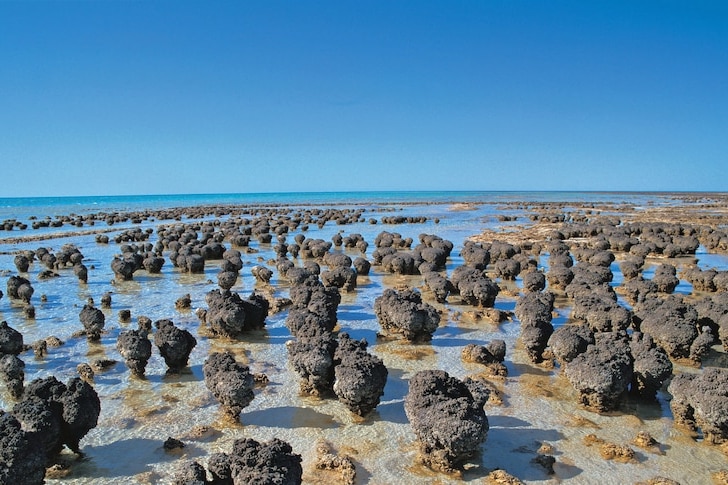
(701, 401)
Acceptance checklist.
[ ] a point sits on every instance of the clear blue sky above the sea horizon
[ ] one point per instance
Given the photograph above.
(137, 97)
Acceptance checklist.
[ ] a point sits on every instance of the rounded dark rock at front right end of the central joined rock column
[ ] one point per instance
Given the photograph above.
(359, 376)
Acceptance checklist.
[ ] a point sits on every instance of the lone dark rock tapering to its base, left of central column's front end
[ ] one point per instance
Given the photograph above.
(230, 382)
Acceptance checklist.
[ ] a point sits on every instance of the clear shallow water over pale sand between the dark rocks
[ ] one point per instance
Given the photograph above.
(538, 404)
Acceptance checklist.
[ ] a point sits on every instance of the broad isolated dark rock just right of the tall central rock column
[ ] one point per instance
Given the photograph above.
(403, 313)
